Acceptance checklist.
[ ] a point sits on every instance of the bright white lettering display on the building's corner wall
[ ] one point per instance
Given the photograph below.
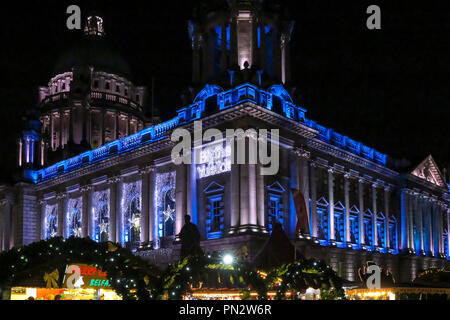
(214, 160)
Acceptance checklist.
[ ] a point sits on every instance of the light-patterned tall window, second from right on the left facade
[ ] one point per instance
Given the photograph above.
(131, 212)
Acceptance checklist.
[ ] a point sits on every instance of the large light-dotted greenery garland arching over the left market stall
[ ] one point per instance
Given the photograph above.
(129, 275)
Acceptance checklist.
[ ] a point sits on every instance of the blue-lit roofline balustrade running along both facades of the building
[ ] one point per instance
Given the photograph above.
(224, 100)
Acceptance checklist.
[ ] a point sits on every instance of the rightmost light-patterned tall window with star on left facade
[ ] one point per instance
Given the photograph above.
(165, 203)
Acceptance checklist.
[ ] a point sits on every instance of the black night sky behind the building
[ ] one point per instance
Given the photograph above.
(389, 89)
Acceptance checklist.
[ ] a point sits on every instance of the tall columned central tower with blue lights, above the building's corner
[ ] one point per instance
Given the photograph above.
(240, 41)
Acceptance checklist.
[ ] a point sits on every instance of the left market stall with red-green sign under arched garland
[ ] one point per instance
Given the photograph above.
(75, 269)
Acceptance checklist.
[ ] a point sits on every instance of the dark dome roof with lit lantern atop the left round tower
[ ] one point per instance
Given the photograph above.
(93, 50)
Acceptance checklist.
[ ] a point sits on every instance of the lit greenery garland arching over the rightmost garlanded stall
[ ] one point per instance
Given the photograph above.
(298, 276)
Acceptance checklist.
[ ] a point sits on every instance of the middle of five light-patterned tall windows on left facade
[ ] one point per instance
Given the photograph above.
(101, 215)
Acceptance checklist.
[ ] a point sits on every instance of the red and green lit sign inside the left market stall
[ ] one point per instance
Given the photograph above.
(84, 276)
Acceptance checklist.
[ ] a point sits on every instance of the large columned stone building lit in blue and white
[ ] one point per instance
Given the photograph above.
(127, 188)
